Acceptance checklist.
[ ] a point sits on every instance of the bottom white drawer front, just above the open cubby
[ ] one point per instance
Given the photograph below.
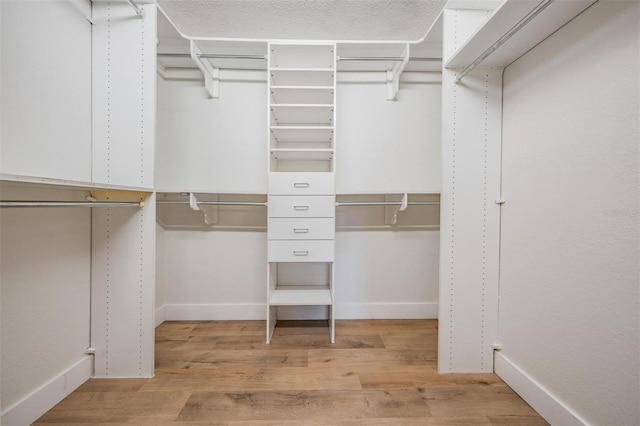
(301, 251)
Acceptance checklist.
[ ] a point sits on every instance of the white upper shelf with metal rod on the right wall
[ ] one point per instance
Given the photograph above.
(512, 29)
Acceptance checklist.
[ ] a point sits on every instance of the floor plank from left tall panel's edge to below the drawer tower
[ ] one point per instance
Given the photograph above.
(232, 358)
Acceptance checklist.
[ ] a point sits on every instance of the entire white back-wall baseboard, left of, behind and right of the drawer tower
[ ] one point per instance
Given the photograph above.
(221, 312)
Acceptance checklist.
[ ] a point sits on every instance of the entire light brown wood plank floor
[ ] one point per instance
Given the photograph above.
(379, 372)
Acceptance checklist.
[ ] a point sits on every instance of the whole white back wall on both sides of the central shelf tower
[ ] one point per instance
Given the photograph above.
(221, 145)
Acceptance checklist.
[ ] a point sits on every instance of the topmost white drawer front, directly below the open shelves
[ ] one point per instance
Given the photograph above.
(301, 184)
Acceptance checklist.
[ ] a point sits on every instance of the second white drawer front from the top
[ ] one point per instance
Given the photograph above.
(304, 206)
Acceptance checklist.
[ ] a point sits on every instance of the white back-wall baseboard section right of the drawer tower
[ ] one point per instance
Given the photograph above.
(386, 310)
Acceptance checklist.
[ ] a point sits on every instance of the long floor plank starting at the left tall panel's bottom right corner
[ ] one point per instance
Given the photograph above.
(242, 379)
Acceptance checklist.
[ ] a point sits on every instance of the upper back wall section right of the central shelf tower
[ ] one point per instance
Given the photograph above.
(388, 146)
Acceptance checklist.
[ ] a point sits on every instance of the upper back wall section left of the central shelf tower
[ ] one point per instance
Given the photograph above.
(212, 145)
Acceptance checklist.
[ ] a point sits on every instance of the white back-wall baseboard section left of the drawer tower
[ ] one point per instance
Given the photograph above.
(214, 312)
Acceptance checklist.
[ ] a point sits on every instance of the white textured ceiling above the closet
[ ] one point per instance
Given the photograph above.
(336, 20)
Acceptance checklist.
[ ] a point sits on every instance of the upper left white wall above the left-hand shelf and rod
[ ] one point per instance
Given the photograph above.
(46, 89)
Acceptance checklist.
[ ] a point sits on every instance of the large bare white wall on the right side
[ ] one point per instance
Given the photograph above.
(569, 314)
